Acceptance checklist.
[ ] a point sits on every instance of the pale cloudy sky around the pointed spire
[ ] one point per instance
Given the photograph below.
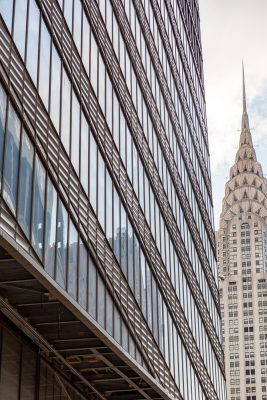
(232, 31)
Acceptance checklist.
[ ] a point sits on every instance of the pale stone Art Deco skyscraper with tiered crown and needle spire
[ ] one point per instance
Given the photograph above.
(242, 263)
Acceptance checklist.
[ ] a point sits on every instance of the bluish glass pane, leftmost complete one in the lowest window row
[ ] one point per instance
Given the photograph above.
(11, 159)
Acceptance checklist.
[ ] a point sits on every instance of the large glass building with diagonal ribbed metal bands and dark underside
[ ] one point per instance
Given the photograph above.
(108, 275)
